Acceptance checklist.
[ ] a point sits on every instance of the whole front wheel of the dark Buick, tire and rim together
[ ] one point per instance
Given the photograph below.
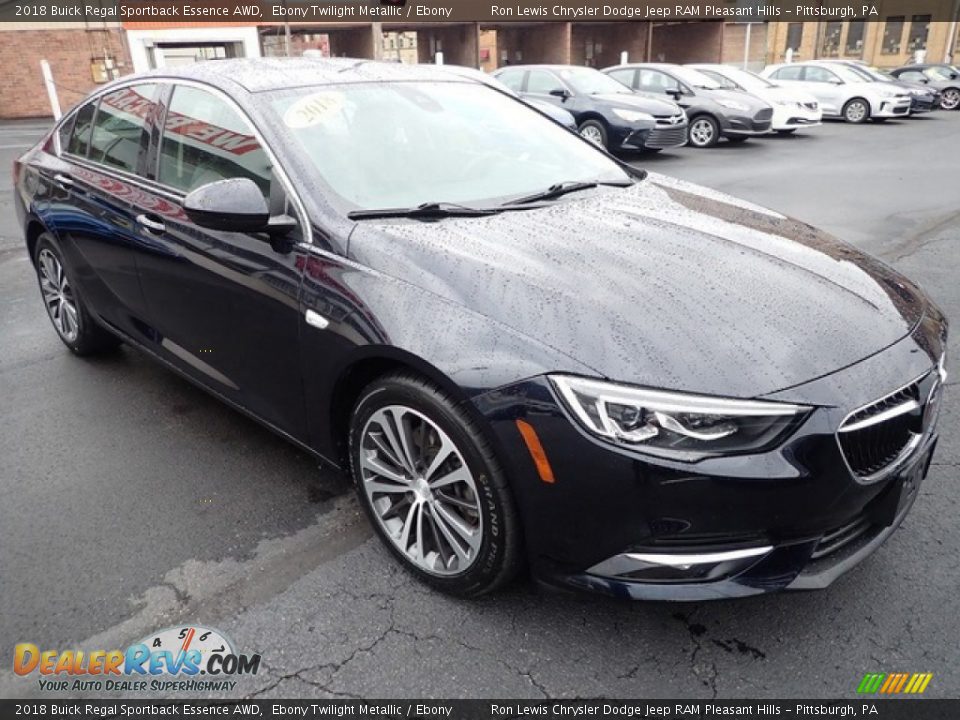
(419, 524)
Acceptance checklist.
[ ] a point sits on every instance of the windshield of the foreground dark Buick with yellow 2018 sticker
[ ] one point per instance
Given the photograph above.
(404, 144)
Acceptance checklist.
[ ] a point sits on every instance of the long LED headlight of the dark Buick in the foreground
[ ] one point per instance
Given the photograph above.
(675, 425)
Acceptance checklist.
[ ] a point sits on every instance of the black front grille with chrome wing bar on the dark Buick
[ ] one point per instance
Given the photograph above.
(874, 437)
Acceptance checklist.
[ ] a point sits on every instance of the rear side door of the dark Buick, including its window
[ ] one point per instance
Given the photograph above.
(102, 159)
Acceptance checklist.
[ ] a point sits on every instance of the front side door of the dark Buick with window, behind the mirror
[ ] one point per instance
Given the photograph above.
(223, 306)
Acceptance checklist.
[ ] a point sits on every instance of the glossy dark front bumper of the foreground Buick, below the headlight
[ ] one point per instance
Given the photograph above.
(632, 525)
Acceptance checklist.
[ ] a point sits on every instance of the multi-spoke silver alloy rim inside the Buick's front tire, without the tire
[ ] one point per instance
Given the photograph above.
(421, 490)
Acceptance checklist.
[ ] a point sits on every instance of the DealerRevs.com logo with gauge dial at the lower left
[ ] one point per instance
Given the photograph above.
(176, 659)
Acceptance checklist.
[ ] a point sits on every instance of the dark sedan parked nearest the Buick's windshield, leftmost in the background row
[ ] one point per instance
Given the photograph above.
(606, 113)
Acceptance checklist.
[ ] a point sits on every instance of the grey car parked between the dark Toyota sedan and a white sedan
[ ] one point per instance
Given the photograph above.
(713, 112)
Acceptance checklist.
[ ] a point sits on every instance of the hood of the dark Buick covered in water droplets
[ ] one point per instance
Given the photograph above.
(663, 284)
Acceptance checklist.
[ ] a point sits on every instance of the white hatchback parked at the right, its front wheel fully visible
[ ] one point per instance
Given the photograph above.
(842, 92)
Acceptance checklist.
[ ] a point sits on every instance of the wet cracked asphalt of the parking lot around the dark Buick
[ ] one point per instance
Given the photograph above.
(131, 501)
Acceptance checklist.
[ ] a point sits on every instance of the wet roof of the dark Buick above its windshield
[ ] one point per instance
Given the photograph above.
(258, 74)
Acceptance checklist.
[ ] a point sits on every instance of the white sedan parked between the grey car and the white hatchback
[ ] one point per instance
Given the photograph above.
(792, 107)
